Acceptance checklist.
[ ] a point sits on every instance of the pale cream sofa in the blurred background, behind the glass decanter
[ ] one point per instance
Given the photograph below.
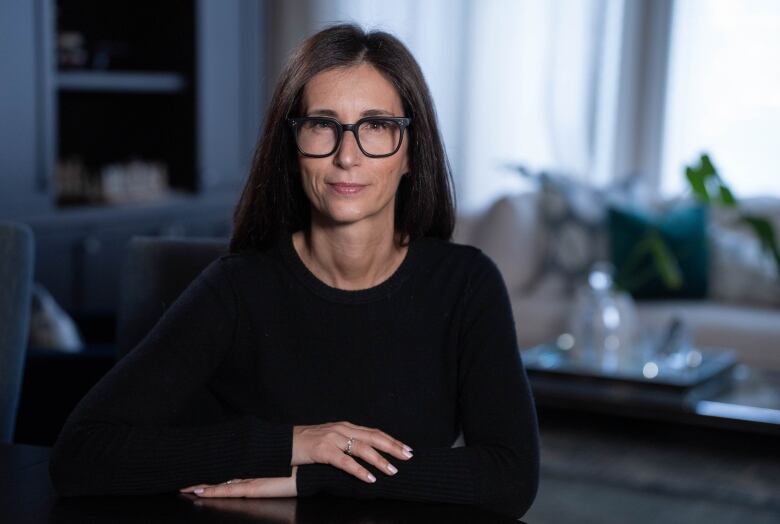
(741, 310)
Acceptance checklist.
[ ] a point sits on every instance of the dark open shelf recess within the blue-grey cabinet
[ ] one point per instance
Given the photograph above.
(125, 85)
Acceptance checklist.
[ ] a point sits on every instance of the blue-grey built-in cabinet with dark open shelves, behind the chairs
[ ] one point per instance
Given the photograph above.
(112, 82)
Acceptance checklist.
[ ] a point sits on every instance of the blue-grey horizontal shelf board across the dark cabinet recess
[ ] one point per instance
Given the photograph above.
(113, 81)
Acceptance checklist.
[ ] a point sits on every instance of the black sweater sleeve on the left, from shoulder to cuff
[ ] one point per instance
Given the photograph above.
(126, 435)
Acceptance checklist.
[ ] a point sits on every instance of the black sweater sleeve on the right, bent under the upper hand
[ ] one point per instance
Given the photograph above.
(498, 468)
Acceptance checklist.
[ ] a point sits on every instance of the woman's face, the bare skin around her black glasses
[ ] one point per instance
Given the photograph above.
(348, 187)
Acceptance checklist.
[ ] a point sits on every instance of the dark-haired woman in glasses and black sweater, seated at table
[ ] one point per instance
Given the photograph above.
(344, 343)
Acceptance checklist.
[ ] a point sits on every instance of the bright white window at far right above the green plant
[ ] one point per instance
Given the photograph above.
(723, 93)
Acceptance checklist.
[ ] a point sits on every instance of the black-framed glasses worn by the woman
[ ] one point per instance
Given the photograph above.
(376, 136)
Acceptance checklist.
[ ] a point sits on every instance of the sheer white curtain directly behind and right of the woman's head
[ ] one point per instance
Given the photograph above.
(514, 82)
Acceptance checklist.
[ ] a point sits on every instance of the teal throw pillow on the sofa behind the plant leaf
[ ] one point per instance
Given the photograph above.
(660, 255)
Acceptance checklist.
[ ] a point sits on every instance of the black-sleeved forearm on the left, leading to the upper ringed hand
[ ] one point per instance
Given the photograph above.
(93, 457)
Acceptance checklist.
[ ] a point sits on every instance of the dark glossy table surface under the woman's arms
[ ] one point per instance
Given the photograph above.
(27, 496)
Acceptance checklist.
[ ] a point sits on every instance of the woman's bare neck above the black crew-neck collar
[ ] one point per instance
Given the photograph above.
(350, 257)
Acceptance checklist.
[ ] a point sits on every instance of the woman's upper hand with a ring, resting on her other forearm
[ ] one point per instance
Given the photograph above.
(329, 444)
